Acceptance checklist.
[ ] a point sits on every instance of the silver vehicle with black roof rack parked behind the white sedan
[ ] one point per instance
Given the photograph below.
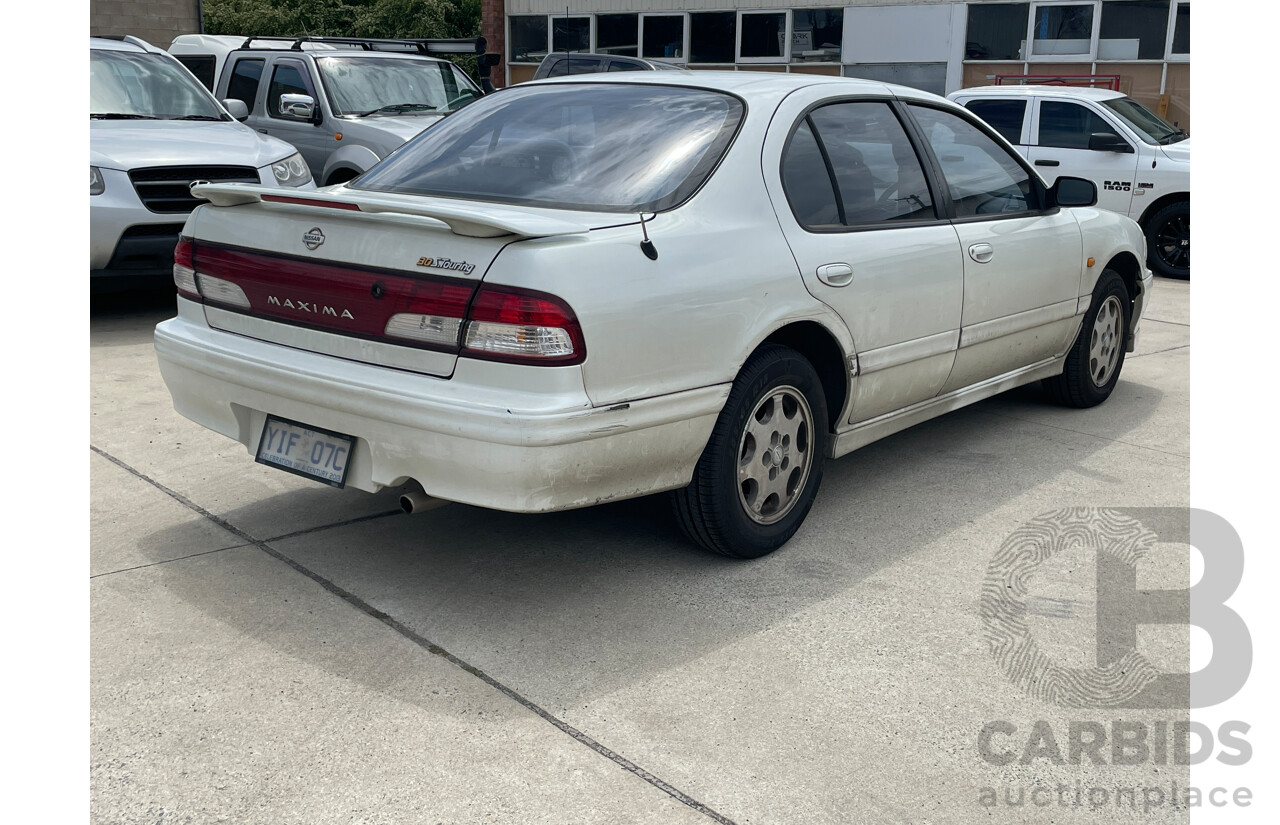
(345, 103)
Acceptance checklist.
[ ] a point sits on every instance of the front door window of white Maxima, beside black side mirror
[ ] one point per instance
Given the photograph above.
(985, 178)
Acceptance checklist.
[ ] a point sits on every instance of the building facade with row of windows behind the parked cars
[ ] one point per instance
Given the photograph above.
(935, 45)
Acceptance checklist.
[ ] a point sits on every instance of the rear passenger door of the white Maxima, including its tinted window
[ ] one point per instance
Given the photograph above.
(857, 210)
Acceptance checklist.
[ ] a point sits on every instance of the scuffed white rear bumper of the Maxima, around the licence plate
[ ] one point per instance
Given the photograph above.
(472, 439)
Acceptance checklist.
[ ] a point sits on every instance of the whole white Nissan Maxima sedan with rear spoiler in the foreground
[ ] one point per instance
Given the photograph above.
(596, 288)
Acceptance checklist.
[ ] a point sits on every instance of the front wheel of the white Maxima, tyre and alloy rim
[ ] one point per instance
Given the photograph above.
(1098, 356)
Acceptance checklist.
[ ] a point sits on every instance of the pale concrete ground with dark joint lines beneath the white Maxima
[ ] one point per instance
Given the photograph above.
(269, 650)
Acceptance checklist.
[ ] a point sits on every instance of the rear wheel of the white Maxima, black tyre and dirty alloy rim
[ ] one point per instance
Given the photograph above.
(778, 397)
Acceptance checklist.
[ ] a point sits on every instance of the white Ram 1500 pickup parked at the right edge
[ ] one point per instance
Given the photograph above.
(1141, 164)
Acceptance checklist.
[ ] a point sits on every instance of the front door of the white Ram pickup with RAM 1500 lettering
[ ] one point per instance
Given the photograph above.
(1062, 148)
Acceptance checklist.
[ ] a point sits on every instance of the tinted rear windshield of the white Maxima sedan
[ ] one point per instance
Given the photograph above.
(598, 148)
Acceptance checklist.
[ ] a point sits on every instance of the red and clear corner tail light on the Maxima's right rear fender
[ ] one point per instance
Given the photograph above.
(523, 327)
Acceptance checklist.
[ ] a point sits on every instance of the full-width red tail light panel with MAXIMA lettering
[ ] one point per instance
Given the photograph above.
(442, 314)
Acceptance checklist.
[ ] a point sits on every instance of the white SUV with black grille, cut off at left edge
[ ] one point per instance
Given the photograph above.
(154, 131)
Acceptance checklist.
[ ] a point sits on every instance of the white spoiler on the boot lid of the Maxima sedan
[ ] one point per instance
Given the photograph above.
(472, 222)
